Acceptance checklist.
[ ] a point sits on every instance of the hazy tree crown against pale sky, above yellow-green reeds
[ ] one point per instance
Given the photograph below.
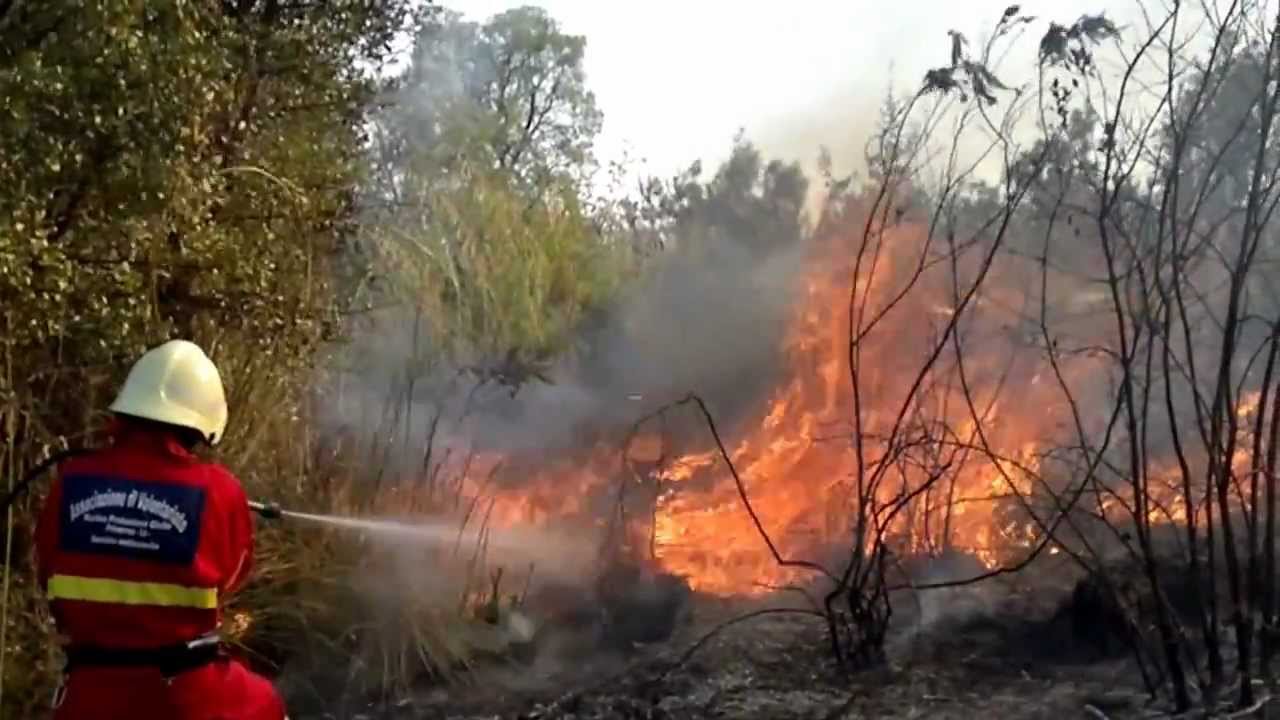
(509, 94)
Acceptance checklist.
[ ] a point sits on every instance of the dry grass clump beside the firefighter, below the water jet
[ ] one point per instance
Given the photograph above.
(341, 621)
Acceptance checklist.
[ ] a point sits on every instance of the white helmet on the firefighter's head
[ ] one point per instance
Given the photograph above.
(176, 384)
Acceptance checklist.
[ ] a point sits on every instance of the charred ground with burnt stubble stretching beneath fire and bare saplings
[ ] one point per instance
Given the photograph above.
(1026, 646)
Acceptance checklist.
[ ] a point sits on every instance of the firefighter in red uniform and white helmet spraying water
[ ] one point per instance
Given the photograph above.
(138, 546)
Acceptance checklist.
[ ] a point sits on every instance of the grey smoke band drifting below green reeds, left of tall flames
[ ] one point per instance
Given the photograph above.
(706, 320)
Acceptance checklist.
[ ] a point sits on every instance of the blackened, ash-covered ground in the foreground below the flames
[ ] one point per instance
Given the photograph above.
(959, 657)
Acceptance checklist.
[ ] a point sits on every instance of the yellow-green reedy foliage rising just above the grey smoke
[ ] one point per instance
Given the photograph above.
(499, 277)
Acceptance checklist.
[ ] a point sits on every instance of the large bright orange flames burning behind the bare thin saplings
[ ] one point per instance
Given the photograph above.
(967, 479)
